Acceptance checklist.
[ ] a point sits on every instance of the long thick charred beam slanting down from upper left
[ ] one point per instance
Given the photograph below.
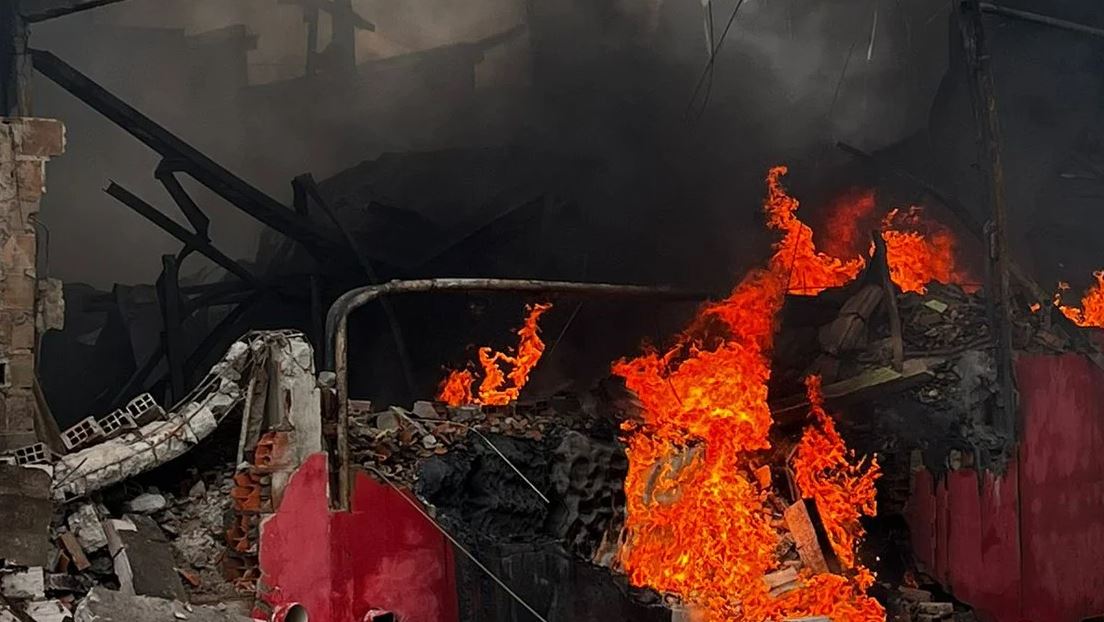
(200, 167)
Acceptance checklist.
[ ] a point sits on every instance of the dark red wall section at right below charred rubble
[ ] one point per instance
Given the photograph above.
(1028, 545)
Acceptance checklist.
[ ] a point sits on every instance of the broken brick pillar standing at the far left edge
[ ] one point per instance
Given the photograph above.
(26, 145)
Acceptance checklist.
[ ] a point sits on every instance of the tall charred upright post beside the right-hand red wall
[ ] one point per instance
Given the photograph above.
(988, 124)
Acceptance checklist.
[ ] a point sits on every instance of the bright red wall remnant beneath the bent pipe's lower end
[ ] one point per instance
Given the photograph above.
(380, 555)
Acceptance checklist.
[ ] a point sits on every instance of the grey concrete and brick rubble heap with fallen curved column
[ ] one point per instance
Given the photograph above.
(83, 522)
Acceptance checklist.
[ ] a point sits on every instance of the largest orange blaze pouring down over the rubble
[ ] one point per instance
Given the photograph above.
(698, 512)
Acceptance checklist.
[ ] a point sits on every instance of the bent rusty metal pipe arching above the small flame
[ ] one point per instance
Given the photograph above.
(337, 330)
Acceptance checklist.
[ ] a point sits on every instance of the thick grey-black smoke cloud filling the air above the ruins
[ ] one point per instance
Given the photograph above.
(611, 81)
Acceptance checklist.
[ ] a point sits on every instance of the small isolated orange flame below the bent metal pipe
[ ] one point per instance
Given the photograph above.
(498, 387)
